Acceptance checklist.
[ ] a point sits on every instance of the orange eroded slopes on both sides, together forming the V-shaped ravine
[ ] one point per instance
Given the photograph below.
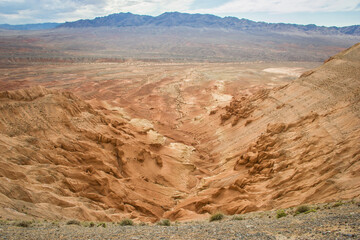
(299, 143)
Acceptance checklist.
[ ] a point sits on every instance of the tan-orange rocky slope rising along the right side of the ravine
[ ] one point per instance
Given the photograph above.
(296, 144)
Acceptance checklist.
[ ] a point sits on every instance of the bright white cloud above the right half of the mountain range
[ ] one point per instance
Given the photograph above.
(282, 6)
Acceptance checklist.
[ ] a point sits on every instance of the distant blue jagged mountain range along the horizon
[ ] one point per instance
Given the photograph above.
(173, 19)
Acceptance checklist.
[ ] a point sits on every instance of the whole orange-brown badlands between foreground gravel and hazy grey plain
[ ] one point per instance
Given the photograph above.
(104, 141)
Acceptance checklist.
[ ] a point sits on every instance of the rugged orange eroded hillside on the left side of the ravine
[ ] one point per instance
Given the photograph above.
(62, 159)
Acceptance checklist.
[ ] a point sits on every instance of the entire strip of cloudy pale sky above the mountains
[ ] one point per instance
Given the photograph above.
(319, 12)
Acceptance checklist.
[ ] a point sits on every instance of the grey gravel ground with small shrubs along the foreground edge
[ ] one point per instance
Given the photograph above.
(328, 222)
